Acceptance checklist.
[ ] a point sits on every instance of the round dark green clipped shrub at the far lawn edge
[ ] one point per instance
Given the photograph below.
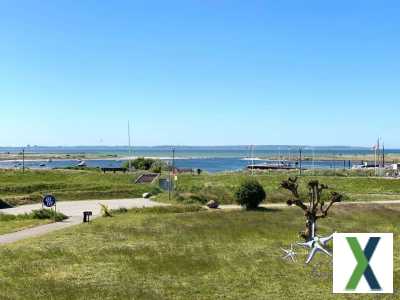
(250, 194)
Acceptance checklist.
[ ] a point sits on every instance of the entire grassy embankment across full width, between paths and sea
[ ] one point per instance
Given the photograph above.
(17, 188)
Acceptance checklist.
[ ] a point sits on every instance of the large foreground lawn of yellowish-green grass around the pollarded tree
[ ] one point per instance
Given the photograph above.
(167, 253)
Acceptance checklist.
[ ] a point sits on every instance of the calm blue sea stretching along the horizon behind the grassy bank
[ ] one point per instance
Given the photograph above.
(211, 159)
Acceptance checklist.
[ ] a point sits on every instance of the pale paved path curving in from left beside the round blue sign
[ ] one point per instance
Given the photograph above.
(73, 209)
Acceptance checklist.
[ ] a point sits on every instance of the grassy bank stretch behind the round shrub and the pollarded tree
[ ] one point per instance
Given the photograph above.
(221, 187)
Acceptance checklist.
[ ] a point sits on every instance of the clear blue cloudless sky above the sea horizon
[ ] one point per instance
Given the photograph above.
(199, 72)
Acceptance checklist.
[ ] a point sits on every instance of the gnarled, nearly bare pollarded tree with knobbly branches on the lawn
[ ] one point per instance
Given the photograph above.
(316, 208)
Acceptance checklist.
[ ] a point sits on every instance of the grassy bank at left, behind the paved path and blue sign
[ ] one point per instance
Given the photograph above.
(20, 188)
